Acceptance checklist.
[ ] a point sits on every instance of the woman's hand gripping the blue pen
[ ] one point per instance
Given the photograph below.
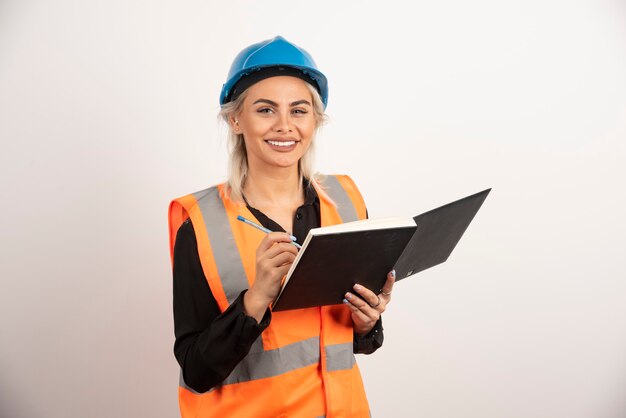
(274, 257)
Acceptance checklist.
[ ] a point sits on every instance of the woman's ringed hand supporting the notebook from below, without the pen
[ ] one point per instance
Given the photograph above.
(366, 311)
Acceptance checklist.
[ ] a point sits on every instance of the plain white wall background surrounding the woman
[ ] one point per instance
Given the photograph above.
(108, 110)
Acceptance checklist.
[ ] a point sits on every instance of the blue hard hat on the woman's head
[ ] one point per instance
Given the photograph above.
(270, 58)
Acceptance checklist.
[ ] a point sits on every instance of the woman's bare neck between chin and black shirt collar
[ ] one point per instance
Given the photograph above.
(280, 186)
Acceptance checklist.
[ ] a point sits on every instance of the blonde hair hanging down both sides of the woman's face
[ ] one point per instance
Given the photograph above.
(238, 158)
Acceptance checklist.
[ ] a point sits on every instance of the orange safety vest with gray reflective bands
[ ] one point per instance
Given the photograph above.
(303, 364)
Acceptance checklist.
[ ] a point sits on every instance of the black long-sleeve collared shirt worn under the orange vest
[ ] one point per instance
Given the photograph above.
(209, 343)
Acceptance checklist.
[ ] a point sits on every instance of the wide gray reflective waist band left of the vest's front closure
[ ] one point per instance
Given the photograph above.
(275, 362)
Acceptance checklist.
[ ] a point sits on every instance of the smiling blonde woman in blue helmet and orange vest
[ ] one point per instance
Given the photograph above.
(238, 358)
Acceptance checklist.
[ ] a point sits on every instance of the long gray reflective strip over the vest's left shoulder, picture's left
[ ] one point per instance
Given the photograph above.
(225, 252)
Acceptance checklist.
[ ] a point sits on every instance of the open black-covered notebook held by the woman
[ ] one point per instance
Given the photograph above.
(334, 258)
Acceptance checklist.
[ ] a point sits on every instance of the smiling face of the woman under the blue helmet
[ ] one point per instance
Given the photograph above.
(277, 121)
